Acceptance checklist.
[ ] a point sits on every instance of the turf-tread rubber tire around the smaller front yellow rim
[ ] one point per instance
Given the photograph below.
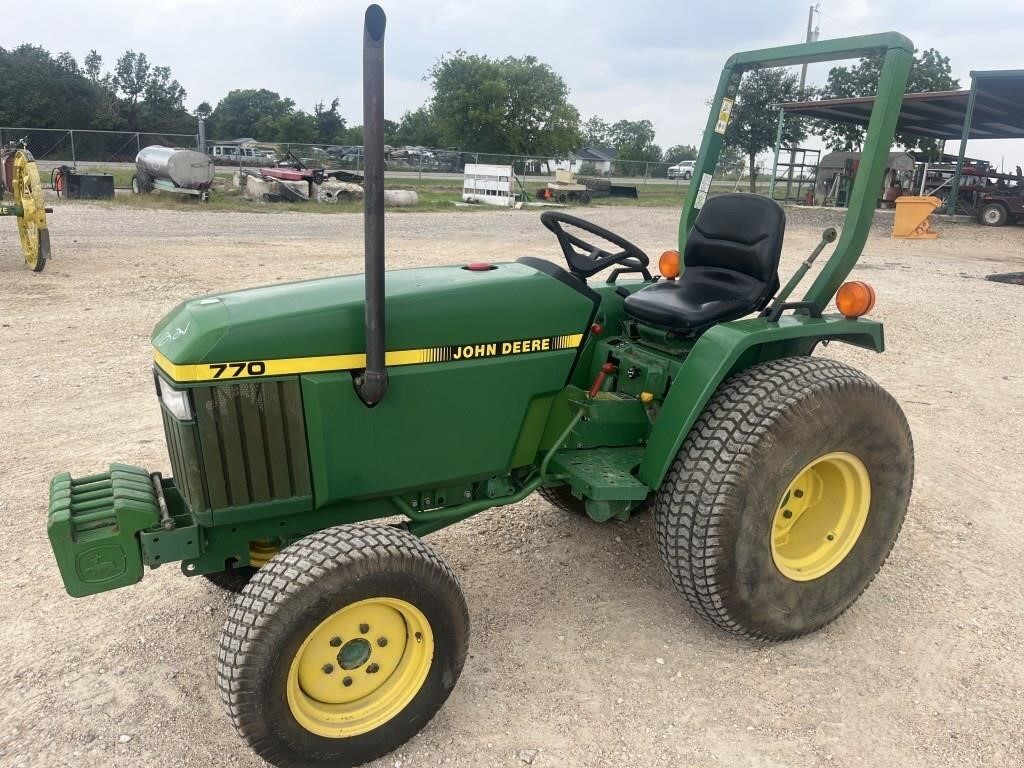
(257, 631)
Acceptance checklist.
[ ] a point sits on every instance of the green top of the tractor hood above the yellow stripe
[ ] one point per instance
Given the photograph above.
(426, 310)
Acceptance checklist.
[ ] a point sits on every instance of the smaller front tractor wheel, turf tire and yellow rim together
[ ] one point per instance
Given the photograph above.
(343, 648)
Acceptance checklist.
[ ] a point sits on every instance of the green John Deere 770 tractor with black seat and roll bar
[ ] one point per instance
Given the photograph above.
(318, 431)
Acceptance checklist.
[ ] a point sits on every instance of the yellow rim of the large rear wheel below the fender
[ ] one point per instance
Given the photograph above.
(821, 517)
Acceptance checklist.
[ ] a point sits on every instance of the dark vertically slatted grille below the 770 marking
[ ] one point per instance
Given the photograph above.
(247, 445)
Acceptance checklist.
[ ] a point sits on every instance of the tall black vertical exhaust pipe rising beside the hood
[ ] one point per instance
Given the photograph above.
(373, 385)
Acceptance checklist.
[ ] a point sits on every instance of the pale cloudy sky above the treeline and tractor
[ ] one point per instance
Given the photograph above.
(656, 60)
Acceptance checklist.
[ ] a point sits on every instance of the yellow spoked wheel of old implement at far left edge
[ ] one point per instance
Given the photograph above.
(21, 179)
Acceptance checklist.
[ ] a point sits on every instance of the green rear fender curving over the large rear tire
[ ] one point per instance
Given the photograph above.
(729, 349)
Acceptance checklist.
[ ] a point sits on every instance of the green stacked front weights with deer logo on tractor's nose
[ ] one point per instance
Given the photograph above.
(94, 528)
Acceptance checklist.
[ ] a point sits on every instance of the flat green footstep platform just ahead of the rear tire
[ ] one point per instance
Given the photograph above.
(604, 475)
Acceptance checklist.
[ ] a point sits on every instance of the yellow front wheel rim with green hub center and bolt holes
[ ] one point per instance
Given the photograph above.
(360, 668)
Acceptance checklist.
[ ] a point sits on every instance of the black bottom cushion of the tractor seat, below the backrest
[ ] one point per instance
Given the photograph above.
(706, 296)
